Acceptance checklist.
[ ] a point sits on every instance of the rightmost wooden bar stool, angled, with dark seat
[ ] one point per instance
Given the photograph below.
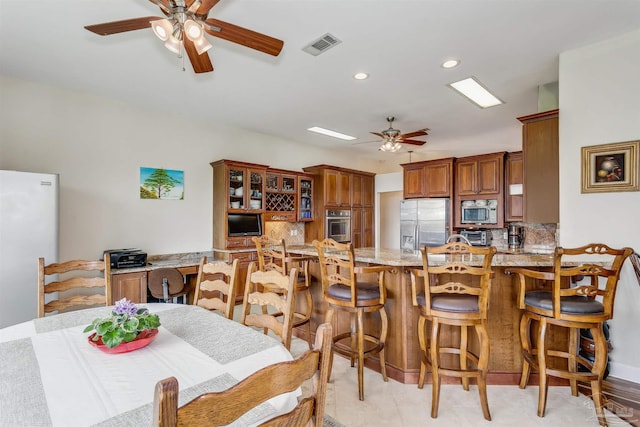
(579, 276)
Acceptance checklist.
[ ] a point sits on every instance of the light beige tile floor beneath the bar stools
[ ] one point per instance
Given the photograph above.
(393, 404)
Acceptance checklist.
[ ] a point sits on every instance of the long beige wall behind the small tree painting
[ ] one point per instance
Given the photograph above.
(98, 146)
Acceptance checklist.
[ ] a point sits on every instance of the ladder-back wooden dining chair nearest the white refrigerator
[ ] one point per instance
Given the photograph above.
(75, 289)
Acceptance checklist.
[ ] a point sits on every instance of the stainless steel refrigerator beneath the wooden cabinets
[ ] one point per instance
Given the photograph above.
(423, 221)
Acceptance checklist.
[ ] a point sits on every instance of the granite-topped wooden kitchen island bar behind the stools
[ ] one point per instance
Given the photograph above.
(402, 347)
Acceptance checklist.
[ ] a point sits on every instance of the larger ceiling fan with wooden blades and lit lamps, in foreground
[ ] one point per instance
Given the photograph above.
(183, 25)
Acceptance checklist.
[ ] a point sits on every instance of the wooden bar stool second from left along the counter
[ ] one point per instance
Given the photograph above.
(344, 292)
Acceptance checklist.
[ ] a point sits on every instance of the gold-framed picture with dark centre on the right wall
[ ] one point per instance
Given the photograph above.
(610, 167)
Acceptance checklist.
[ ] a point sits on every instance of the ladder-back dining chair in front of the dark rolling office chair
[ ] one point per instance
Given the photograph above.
(216, 286)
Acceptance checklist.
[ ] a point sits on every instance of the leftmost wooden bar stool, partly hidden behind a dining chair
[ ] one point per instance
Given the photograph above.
(273, 255)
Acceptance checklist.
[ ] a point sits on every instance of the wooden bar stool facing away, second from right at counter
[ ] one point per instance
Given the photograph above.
(457, 279)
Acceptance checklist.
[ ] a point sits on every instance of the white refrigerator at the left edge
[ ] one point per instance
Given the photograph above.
(28, 230)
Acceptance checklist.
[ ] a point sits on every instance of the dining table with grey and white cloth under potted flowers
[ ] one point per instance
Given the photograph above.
(51, 376)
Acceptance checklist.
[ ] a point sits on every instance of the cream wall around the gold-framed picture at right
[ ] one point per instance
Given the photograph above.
(599, 104)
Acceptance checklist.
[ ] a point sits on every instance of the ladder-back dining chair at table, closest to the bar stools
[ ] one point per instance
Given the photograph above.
(268, 301)
